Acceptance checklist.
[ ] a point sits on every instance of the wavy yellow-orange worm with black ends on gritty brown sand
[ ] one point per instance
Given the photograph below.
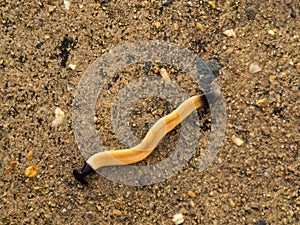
(150, 141)
